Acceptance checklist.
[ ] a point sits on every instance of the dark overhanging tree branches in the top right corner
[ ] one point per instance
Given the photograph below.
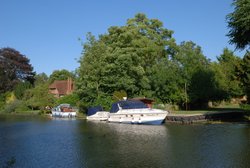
(239, 24)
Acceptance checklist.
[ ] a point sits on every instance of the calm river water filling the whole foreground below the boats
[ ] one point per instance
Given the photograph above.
(43, 143)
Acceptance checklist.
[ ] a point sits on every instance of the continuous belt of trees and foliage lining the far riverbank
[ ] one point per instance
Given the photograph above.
(139, 59)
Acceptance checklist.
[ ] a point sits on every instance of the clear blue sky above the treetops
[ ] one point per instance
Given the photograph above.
(48, 31)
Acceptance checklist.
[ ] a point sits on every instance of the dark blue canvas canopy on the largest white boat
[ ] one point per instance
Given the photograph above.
(128, 104)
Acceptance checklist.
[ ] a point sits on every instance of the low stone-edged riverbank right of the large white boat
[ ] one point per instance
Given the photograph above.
(222, 116)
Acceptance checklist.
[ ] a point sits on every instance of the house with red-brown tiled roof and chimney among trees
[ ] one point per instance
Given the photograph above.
(61, 88)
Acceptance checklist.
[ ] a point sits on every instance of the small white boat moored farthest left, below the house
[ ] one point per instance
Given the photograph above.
(63, 110)
